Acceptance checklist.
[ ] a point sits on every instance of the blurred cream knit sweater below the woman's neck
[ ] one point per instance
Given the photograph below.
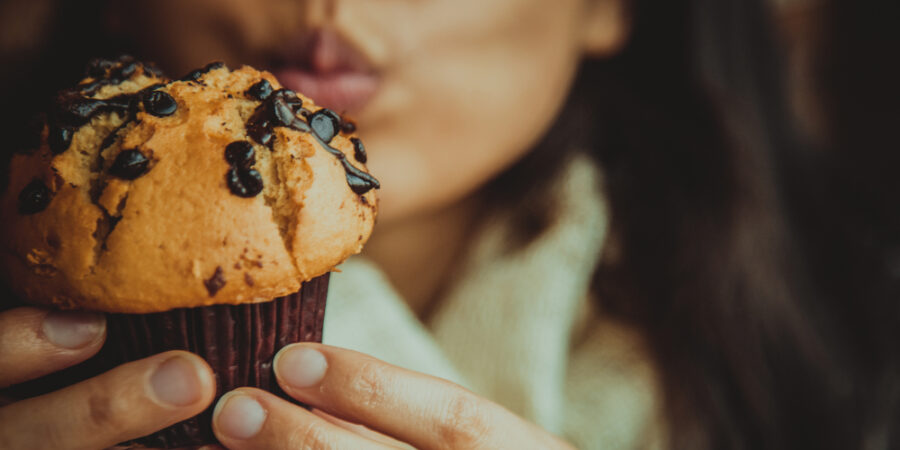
(518, 328)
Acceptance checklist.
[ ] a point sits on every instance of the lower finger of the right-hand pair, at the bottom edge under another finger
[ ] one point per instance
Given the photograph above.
(249, 418)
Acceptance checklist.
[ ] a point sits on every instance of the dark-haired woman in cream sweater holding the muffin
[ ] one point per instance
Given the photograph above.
(711, 258)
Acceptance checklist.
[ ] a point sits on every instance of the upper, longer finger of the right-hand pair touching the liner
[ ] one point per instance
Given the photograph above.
(424, 411)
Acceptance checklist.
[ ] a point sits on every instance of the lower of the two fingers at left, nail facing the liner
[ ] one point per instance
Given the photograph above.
(130, 401)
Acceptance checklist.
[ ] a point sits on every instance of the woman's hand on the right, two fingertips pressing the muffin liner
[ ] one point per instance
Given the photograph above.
(347, 388)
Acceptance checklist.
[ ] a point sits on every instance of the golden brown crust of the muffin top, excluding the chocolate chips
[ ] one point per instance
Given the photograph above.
(177, 236)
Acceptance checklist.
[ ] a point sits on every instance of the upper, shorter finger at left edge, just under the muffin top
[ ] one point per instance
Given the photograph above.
(35, 342)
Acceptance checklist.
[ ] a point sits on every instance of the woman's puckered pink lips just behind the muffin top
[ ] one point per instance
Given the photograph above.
(328, 70)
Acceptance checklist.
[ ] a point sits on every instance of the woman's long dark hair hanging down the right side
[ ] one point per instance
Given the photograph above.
(761, 268)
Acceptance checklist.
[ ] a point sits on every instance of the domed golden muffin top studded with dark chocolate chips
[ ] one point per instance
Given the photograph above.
(146, 194)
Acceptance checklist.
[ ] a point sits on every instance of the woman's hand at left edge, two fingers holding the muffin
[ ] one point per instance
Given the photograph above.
(128, 402)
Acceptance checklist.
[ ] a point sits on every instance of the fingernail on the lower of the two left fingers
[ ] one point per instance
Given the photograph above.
(176, 382)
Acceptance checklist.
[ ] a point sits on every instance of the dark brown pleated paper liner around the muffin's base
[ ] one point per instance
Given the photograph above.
(238, 341)
